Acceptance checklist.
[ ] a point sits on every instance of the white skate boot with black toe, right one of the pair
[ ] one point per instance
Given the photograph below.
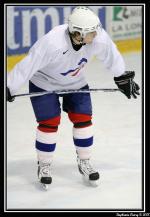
(88, 172)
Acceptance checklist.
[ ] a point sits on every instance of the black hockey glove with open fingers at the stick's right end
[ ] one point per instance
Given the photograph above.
(126, 84)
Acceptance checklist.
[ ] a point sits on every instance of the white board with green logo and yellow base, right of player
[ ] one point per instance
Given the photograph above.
(124, 25)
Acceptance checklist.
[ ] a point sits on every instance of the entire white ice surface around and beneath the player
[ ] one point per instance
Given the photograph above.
(117, 152)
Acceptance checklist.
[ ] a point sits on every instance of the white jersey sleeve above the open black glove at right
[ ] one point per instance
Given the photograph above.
(108, 53)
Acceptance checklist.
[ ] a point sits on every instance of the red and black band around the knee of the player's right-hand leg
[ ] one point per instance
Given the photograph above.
(80, 120)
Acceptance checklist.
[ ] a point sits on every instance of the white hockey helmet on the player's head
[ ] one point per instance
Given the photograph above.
(83, 20)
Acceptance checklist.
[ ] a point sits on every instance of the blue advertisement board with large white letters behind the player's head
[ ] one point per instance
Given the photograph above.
(26, 24)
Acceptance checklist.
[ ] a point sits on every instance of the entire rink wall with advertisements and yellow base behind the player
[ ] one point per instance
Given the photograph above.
(26, 24)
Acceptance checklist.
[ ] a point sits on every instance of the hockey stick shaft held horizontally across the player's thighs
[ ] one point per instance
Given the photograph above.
(66, 92)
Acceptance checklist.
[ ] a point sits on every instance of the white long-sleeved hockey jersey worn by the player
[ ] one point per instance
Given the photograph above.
(53, 64)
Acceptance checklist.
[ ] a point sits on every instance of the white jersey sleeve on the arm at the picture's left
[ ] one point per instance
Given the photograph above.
(38, 57)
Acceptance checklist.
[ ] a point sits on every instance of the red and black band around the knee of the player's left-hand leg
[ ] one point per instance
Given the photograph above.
(49, 125)
